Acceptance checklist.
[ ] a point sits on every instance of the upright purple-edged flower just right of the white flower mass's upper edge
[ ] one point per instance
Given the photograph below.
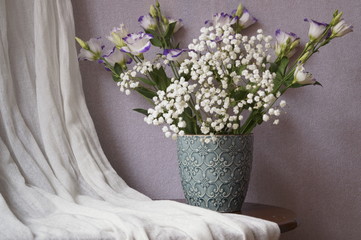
(286, 43)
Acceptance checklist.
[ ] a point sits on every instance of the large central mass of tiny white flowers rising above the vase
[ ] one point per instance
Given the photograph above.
(221, 62)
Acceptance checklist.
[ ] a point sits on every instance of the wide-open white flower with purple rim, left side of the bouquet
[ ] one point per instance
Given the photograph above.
(137, 43)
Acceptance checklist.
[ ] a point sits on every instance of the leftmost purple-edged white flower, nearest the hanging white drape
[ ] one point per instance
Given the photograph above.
(92, 51)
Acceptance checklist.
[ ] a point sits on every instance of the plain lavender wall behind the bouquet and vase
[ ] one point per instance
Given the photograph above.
(310, 163)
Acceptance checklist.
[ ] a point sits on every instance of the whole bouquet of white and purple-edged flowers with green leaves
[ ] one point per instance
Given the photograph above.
(224, 82)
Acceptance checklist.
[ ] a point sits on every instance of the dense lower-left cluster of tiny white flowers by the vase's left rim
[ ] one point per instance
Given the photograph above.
(169, 105)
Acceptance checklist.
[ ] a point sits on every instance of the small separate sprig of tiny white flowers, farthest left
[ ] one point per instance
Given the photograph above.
(128, 80)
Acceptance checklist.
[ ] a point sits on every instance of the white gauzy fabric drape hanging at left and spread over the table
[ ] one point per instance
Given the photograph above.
(55, 181)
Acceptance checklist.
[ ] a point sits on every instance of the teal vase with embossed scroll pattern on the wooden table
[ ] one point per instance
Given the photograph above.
(215, 173)
